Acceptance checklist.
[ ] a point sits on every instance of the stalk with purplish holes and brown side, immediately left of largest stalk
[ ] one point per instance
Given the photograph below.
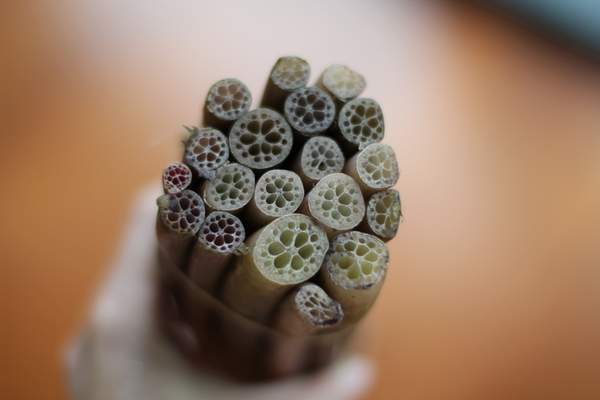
(221, 235)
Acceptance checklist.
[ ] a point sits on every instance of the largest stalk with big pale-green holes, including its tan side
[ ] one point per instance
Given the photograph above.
(288, 251)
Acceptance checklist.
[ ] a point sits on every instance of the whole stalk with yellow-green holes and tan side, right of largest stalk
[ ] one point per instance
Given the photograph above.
(354, 271)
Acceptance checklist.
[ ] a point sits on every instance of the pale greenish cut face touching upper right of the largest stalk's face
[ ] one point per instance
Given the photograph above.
(336, 202)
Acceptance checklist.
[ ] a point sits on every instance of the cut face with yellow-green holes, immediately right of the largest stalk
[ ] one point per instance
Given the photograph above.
(357, 260)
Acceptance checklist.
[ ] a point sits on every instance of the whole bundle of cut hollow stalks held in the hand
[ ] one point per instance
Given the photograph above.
(272, 228)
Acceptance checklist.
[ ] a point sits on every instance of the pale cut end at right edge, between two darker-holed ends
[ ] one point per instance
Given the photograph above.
(377, 166)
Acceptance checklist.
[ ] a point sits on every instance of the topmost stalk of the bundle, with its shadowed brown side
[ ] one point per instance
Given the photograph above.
(288, 74)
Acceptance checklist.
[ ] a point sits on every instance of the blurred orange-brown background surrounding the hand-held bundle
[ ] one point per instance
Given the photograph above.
(494, 287)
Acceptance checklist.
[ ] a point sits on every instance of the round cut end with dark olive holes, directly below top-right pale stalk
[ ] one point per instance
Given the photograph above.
(361, 122)
